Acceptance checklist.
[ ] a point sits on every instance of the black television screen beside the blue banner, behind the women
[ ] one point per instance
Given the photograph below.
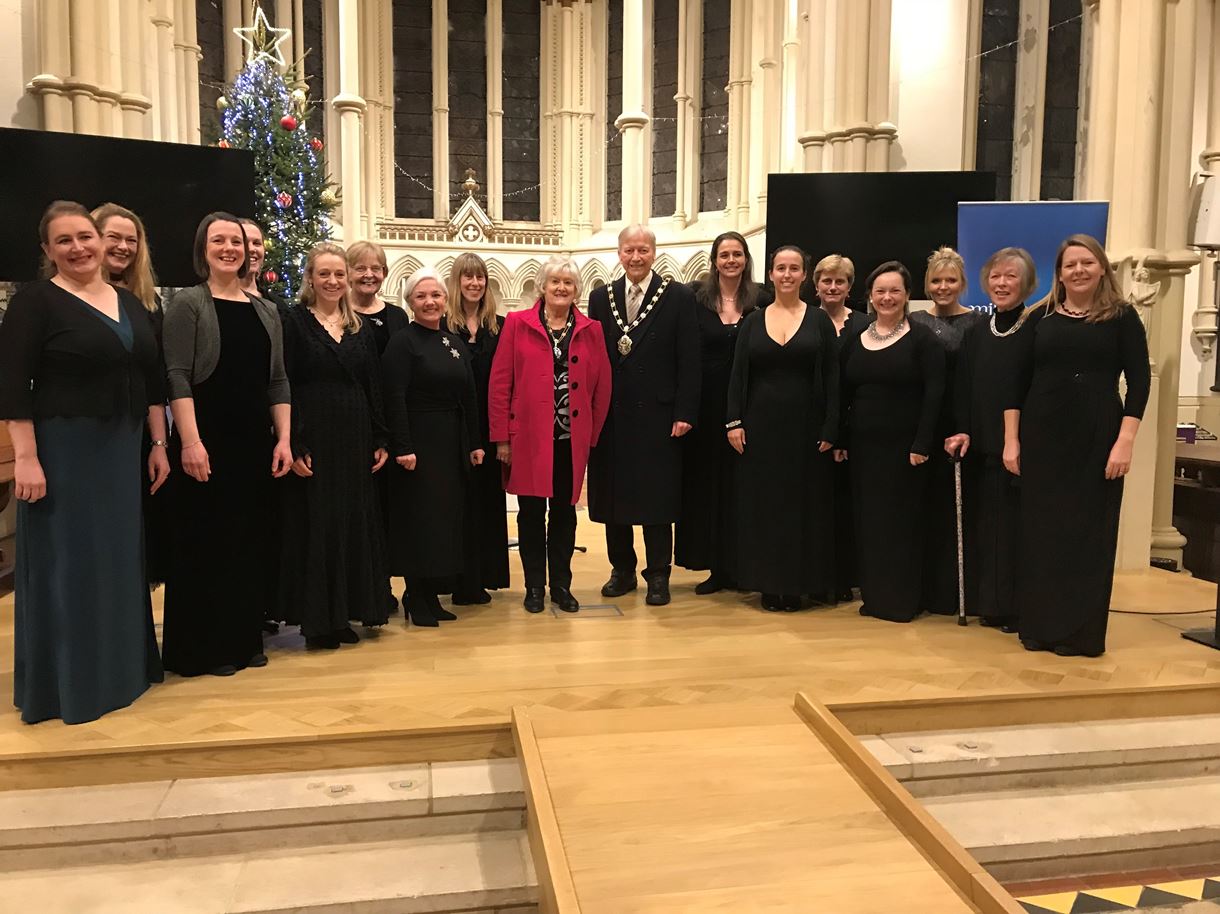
(872, 218)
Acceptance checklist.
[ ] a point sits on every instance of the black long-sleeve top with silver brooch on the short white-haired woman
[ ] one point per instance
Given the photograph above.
(426, 372)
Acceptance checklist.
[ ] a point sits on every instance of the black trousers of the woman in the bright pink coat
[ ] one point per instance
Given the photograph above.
(546, 539)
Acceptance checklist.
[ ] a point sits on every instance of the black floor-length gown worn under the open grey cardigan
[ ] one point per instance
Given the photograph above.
(218, 588)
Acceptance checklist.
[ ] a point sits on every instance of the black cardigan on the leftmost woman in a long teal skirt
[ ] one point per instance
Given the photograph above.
(58, 359)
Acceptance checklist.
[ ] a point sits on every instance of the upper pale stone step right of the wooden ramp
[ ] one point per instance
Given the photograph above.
(939, 763)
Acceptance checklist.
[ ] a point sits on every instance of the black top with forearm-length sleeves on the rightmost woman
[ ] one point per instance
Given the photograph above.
(1061, 351)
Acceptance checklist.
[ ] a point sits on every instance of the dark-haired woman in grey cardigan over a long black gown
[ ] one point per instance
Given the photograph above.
(224, 354)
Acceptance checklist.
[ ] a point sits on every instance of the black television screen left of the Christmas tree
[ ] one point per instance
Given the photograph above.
(171, 187)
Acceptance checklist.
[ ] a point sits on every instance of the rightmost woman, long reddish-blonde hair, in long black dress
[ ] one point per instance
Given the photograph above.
(1071, 439)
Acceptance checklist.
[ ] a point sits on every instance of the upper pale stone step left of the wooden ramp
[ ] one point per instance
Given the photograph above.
(82, 827)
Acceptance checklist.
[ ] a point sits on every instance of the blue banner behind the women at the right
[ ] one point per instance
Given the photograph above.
(1039, 228)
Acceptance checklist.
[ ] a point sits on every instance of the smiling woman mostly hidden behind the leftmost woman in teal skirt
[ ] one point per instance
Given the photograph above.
(129, 265)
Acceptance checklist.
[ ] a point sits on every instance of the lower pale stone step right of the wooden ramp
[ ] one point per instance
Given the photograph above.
(1058, 832)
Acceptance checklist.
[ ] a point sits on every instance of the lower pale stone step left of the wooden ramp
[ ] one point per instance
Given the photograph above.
(473, 874)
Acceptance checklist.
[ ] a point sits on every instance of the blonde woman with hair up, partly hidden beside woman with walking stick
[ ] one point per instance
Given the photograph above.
(950, 322)
